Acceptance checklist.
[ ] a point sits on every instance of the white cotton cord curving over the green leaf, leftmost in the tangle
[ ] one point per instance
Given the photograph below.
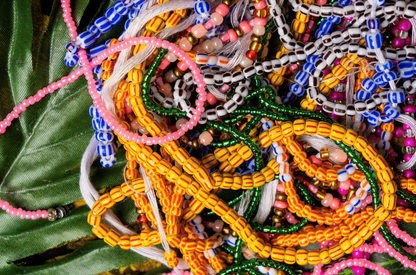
(91, 195)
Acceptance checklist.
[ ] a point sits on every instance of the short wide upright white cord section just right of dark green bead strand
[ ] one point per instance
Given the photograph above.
(268, 194)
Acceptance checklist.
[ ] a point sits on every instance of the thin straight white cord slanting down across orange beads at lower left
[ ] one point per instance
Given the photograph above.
(153, 203)
